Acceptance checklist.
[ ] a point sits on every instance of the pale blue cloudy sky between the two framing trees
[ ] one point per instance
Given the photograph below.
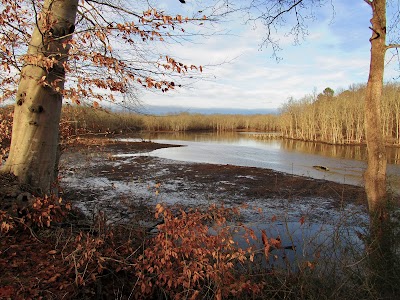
(238, 74)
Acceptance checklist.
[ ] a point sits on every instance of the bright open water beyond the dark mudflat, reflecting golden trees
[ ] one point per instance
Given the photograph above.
(345, 164)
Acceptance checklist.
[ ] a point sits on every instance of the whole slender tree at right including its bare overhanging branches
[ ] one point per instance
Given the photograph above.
(274, 14)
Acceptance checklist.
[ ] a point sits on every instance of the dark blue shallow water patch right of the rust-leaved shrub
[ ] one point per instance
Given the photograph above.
(306, 242)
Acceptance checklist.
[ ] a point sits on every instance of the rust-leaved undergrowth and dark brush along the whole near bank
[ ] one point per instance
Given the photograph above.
(49, 251)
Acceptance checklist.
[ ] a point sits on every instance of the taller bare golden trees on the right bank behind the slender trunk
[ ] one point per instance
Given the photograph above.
(339, 119)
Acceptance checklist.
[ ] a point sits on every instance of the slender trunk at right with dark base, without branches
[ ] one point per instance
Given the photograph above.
(380, 246)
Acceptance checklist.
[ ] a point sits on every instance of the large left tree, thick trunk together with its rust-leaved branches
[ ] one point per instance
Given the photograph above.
(46, 40)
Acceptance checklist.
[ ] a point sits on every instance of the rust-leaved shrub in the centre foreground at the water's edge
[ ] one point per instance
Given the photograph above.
(194, 254)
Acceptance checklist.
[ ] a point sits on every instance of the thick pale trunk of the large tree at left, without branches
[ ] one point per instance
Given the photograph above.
(34, 142)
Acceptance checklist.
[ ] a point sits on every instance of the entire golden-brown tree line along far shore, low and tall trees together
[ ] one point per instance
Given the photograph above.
(324, 117)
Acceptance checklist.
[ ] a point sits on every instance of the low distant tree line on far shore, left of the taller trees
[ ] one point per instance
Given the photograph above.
(99, 120)
